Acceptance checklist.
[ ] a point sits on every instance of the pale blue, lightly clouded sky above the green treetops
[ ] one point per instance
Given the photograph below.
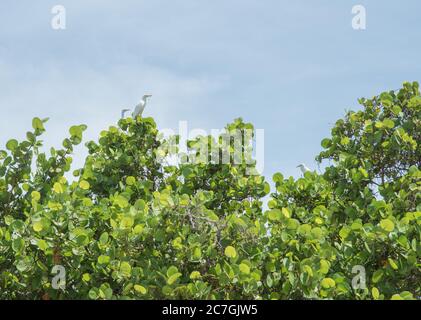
(290, 67)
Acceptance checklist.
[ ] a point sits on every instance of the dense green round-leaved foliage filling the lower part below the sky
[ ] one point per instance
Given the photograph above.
(132, 226)
